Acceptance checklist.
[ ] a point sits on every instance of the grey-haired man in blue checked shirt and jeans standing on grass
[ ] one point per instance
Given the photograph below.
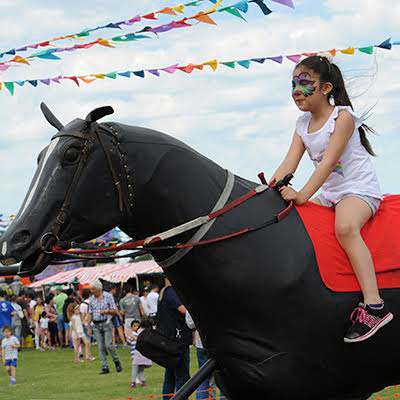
(101, 309)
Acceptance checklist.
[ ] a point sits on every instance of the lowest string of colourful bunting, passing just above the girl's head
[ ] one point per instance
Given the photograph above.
(213, 64)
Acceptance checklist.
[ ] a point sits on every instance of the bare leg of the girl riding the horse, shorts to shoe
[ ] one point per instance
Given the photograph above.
(351, 215)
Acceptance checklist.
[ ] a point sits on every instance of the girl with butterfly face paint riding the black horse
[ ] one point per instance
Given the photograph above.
(334, 137)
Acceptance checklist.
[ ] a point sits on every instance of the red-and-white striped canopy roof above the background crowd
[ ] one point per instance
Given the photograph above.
(109, 272)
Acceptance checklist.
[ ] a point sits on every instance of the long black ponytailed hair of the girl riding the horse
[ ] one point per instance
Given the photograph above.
(330, 72)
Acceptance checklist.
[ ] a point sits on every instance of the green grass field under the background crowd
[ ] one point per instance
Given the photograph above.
(52, 375)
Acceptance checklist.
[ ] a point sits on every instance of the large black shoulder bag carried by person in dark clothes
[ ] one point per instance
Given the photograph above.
(159, 348)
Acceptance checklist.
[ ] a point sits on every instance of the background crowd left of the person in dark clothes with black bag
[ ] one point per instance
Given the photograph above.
(65, 317)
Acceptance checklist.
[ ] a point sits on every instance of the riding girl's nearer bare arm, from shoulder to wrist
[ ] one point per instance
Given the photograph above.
(340, 137)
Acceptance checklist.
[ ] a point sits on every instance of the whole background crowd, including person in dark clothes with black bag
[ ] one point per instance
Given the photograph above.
(104, 317)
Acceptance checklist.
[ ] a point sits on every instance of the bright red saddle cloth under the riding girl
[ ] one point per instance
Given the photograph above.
(381, 234)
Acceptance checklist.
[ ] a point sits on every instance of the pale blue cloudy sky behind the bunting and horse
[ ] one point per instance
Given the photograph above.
(241, 118)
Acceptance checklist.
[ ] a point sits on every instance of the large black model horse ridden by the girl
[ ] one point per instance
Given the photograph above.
(258, 301)
